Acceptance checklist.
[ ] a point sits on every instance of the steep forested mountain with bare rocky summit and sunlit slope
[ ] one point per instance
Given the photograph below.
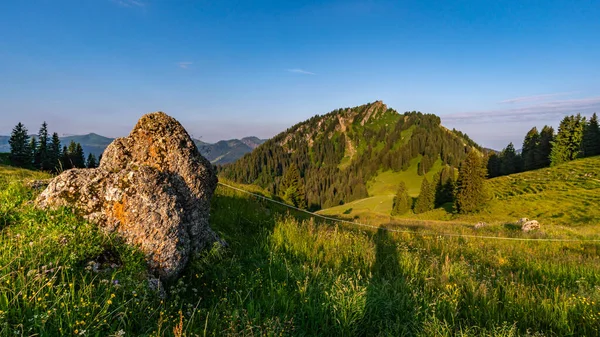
(338, 153)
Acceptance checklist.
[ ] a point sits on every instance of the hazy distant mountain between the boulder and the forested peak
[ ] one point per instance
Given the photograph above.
(228, 151)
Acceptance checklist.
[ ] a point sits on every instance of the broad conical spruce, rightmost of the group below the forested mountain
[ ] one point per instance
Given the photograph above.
(471, 193)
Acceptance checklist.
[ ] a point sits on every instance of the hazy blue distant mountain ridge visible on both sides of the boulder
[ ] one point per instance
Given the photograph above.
(219, 153)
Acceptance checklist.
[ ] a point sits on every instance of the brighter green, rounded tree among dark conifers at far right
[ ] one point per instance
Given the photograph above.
(568, 142)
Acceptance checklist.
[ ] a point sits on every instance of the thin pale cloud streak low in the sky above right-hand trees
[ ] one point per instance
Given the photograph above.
(549, 110)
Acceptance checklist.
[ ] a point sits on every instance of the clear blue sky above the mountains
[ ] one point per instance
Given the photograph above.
(228, 69)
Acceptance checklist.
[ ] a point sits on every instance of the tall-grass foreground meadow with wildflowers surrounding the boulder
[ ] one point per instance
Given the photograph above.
(286, 274)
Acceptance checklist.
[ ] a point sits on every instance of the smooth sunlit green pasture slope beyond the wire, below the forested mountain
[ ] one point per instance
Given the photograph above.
(565, 195)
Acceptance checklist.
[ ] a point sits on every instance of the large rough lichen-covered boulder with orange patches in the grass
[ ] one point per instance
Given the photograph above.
(153, 188)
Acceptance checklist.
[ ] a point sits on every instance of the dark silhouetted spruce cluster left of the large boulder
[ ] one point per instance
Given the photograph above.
(45, 153)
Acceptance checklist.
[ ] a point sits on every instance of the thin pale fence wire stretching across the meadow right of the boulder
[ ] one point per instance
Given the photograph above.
(398, 230)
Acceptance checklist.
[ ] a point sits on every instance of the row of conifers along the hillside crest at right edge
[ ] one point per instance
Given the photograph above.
(577, 137)
